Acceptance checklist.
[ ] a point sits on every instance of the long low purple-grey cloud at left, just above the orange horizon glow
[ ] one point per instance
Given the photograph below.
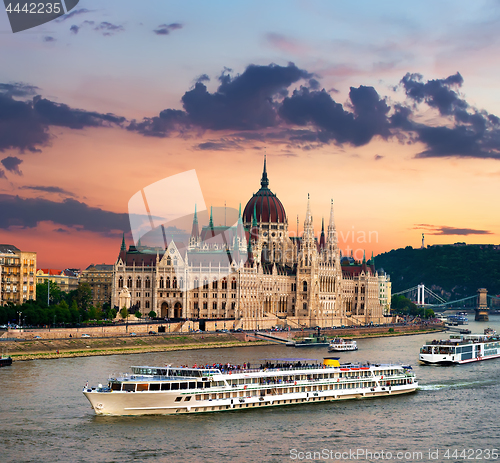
(28, 213)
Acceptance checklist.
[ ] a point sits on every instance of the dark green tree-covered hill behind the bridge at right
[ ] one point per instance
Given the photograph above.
(453, 271)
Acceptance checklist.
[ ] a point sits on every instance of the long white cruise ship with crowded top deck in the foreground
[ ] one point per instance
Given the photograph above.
(183, 390)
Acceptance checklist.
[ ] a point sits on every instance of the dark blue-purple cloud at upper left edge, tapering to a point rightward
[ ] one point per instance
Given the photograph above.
(25, 124)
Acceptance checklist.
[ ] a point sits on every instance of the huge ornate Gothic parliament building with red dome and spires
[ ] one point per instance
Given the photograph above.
(253, 274)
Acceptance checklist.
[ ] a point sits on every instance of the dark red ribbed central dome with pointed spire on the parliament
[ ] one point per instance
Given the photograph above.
(267, 206)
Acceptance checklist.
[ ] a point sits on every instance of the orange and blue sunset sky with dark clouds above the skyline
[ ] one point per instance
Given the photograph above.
(390, 108)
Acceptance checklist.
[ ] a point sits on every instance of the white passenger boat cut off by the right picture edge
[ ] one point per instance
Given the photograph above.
(462, 348)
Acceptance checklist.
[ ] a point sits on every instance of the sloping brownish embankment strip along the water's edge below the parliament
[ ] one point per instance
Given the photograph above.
(86, 347)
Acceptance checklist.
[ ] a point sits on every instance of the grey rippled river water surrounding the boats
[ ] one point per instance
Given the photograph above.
(46, 418)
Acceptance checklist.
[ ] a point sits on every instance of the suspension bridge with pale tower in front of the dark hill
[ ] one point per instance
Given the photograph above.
(424, 297)
